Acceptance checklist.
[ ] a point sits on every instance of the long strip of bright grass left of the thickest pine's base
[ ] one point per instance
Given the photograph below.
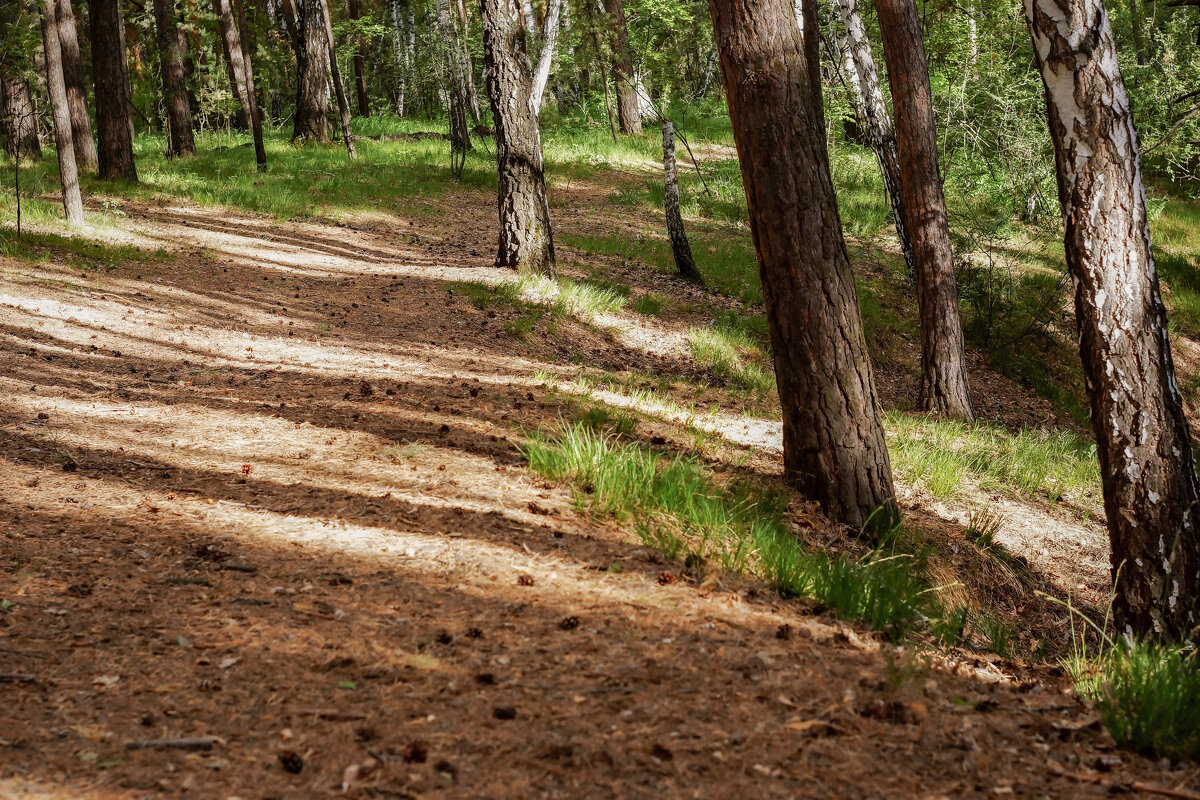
(676, 507)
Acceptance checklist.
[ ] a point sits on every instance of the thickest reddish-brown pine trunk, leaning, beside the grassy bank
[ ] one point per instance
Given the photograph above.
(835, 450)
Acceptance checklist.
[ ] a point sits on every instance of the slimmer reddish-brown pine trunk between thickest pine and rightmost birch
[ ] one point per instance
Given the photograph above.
(944, 370)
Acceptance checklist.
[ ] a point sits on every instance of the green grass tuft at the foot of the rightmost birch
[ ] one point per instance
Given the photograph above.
(1149, 699)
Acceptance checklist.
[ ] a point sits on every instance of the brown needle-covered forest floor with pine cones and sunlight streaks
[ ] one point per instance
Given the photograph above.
(266, 532)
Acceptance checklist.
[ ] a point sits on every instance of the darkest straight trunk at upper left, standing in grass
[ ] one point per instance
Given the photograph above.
(111, 76)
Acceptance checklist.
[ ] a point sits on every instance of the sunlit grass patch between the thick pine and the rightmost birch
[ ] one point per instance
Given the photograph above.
(945, 456)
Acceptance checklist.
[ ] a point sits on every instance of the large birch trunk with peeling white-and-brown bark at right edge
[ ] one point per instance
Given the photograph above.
(1151, 495)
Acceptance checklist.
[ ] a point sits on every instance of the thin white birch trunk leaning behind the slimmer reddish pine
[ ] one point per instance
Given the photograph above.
(873, 112)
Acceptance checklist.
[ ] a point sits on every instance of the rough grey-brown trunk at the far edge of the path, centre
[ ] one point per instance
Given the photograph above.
(526, 238)
